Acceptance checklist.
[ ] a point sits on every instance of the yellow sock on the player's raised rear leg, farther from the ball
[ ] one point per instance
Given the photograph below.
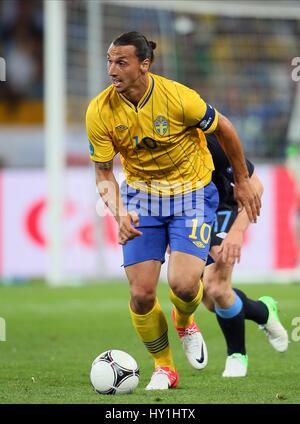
(184, 311)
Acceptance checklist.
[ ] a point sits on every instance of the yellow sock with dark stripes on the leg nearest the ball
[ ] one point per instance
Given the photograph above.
(153, 330)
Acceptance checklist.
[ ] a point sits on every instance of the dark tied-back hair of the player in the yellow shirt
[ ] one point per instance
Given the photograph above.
(143, 47)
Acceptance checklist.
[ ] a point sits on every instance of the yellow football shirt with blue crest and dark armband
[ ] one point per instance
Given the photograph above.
(160, 148)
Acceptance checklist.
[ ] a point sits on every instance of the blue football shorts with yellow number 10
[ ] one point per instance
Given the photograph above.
(182, 221)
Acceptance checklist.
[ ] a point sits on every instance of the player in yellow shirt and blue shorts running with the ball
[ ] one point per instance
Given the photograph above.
(168, 196)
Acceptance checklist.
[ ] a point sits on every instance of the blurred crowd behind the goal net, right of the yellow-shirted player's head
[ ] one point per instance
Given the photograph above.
(240, 65)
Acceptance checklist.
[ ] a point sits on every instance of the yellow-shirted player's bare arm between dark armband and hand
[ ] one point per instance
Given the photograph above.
(229, 140)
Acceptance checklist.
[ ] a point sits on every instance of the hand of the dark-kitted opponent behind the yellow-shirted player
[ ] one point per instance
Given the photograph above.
(230, 249)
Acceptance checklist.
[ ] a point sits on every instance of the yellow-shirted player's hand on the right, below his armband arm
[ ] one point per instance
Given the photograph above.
(247, 197)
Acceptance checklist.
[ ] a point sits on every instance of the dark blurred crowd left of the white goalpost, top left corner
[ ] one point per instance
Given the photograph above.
(21, 45)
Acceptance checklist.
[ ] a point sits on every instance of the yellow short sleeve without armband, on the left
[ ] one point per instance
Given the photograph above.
(101, 147)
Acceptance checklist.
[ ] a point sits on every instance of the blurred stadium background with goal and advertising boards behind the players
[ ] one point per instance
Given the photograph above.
(238, 56)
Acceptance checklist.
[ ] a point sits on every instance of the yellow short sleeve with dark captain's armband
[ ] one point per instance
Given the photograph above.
(198, 113)
